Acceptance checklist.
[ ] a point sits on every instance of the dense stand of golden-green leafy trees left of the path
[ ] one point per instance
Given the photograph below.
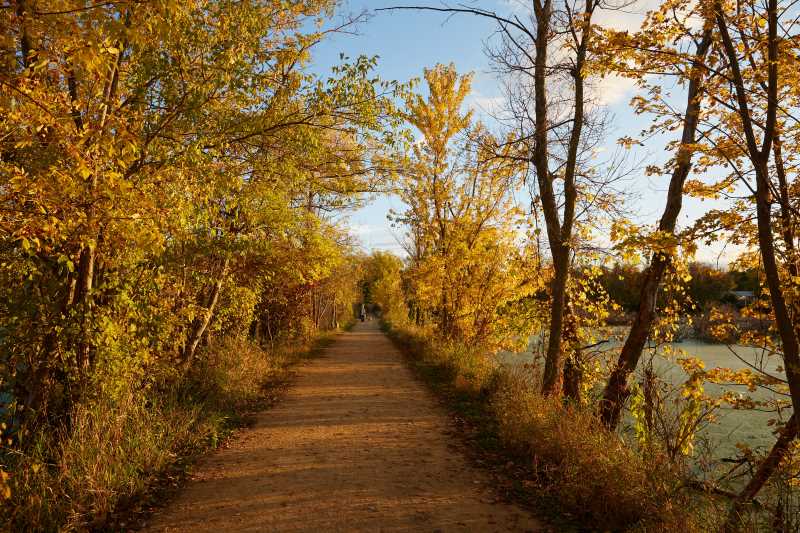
(153, 157)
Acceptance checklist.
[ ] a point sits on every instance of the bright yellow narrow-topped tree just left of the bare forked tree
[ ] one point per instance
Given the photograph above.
(462, 220)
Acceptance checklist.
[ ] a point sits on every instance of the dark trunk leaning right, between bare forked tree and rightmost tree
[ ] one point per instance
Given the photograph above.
(616, 391)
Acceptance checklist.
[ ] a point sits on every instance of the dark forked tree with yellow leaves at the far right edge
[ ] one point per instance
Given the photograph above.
(754, 109)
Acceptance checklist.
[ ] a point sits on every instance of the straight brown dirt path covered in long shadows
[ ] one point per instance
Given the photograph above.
(356, 445)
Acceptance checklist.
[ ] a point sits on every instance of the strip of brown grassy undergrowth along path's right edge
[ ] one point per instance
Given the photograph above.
(567, 466)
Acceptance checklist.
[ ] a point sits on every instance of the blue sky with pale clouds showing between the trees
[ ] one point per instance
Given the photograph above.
(408, 41)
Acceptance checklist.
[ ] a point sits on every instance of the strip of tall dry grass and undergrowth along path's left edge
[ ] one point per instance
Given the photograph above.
(99, 472)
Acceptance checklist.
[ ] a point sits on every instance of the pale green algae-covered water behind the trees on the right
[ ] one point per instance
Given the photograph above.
(731, 426)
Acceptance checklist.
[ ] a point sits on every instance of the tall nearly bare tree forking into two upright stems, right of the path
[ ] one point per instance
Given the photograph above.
(550, 50)
